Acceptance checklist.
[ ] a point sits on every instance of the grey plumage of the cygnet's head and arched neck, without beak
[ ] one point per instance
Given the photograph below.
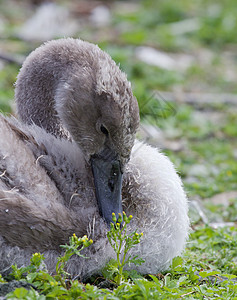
(97, 92)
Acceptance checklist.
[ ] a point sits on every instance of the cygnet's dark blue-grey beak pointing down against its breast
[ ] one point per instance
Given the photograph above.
(107, 173)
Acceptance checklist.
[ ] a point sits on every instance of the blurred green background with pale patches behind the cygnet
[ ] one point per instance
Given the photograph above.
(182, 61)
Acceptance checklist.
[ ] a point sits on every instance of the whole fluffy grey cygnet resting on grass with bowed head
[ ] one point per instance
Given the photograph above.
(67, 163)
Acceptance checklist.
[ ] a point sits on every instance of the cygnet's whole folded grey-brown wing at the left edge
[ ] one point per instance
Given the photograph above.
(31, 206)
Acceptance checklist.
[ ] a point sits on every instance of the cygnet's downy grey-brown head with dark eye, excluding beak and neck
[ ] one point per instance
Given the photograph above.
(97, 106)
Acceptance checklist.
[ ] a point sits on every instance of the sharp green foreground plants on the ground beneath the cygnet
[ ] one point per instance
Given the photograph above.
(206, 271)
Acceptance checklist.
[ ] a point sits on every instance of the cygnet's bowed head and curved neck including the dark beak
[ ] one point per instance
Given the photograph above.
(93, 100)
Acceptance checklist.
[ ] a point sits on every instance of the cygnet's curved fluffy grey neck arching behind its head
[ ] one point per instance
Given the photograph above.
(46, 70)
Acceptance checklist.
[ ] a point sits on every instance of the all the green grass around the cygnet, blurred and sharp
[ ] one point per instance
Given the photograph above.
(208, 144)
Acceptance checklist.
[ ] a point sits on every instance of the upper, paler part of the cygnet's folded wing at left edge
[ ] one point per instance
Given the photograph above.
(19, 167)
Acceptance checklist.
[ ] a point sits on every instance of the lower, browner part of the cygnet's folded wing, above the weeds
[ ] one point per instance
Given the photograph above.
(30, 225)
